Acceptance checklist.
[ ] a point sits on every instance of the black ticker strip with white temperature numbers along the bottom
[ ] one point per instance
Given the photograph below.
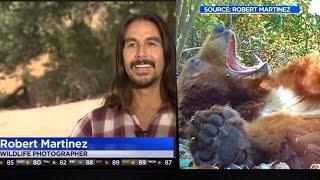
(87, 162)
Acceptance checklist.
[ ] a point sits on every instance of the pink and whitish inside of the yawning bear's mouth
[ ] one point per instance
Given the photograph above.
(236, 66)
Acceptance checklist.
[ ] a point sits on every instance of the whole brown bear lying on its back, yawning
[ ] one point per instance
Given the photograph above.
(237, 114)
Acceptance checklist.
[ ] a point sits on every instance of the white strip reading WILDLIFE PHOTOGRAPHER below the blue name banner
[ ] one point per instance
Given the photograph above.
(87, 154)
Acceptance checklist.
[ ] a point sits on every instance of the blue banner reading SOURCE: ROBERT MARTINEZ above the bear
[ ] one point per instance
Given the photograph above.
(249, 9)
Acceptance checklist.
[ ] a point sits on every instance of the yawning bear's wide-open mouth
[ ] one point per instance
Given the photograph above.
(236, 67)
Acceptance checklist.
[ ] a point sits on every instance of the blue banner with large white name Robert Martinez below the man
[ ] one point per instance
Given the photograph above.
(86, 143)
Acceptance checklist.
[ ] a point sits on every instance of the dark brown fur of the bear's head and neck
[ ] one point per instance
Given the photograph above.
(204, 82)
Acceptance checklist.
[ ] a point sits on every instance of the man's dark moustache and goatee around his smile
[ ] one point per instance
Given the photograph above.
(142, 84)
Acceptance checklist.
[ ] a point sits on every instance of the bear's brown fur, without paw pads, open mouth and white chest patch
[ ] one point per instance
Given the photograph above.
(294, 139)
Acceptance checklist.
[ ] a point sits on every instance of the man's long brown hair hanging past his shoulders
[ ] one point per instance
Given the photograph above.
(119, 94)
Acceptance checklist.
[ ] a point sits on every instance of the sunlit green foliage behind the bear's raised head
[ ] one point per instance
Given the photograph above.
(276, 38)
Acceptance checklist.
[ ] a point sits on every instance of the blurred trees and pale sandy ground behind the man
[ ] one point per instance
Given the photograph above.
(56, 61)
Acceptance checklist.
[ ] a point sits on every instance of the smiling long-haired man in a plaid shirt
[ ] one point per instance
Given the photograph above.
(141, 101)
